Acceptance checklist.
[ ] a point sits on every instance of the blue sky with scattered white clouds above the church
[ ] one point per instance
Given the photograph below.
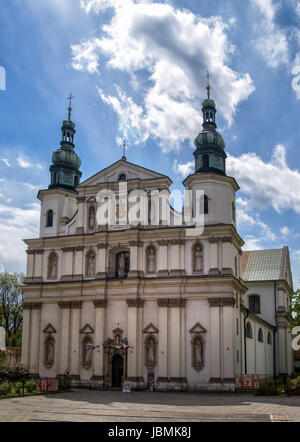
(137, 70)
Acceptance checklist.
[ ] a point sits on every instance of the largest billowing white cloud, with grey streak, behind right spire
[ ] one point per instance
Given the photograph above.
(170, 46)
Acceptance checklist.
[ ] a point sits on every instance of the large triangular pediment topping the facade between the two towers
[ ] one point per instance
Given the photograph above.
(112, 173)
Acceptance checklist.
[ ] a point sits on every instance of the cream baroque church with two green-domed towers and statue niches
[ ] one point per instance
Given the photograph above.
(155, 301)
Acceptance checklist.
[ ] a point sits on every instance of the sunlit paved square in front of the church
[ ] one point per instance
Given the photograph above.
(115, 406)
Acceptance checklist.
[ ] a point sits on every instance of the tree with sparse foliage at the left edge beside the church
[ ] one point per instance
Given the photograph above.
(11, 310)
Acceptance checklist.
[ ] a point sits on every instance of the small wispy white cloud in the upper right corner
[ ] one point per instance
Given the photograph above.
(272, 41)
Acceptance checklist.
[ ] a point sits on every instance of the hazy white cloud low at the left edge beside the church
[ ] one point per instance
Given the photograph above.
(15, 225)
